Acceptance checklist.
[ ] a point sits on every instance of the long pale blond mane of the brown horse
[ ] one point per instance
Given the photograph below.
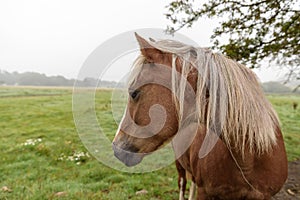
(235, 107)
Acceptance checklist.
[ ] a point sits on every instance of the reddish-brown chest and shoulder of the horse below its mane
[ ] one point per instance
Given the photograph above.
(218, 176)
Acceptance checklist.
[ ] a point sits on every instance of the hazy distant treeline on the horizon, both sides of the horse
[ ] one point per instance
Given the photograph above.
(37, 79)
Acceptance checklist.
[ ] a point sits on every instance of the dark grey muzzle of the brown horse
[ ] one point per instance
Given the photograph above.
(128, 158)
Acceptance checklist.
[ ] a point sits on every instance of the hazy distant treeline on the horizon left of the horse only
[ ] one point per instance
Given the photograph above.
(37, 79)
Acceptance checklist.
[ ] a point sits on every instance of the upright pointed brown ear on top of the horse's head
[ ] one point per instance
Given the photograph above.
(151, 53)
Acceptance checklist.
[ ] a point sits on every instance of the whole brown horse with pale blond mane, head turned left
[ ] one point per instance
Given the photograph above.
(223, 130)
